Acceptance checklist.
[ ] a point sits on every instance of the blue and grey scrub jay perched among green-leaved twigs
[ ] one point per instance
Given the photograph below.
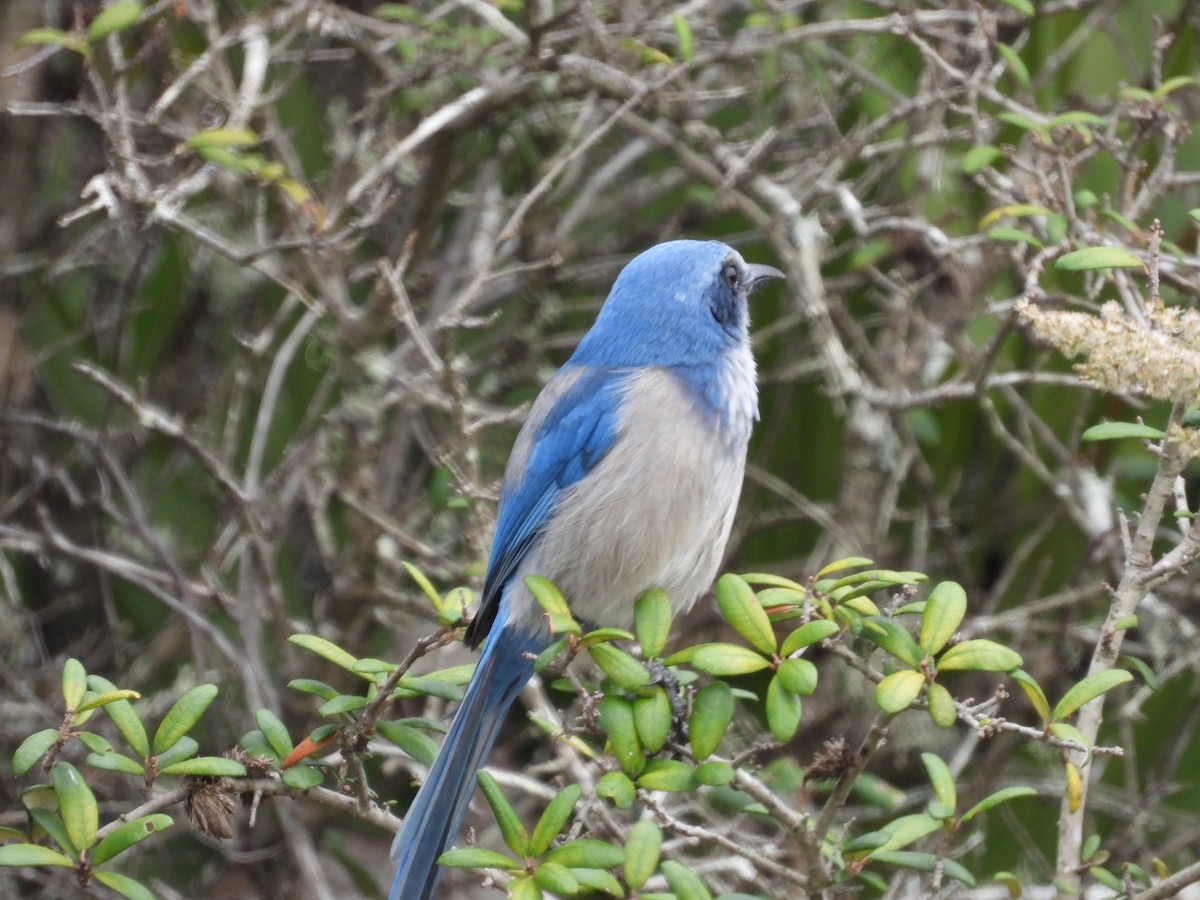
(626, 477)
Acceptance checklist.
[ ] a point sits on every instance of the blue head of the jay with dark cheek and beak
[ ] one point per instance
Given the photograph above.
(679, 304)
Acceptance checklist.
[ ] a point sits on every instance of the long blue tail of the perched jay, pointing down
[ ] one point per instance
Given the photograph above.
(434, 820)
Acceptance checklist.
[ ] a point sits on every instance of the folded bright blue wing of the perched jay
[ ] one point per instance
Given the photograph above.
(566, 445)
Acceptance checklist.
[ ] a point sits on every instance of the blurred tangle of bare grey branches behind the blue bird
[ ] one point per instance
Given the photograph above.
(241, 388)
